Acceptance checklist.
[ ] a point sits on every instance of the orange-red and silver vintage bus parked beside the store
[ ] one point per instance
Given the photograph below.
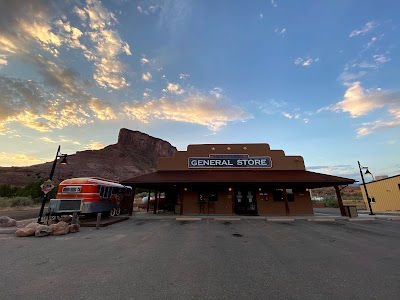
(88, 195)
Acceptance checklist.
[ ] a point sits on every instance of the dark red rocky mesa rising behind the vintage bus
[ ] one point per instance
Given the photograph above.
(134, 154)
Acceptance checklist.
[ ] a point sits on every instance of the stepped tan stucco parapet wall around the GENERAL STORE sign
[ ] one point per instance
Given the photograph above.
(179, 162)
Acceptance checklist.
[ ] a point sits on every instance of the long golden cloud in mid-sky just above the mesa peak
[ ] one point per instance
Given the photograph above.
(195, 108)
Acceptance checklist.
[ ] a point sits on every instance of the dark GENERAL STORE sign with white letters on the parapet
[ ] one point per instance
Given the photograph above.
(229, 161)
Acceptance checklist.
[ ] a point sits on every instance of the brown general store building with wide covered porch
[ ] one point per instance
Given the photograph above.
(242, 179)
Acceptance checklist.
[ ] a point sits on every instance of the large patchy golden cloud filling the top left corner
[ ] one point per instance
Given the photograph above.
(41, 24)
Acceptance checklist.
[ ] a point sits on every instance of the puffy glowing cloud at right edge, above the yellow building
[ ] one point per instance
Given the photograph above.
(360, 102)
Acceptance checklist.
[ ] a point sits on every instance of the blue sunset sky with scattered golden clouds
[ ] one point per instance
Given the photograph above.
(318, 79)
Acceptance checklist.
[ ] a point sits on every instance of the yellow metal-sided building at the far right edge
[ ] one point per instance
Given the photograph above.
(384, 193)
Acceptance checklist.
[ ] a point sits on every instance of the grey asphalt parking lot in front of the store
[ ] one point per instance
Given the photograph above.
(207, 259)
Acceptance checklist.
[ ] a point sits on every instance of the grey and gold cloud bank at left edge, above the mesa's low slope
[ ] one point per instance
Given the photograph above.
(30, 104)
